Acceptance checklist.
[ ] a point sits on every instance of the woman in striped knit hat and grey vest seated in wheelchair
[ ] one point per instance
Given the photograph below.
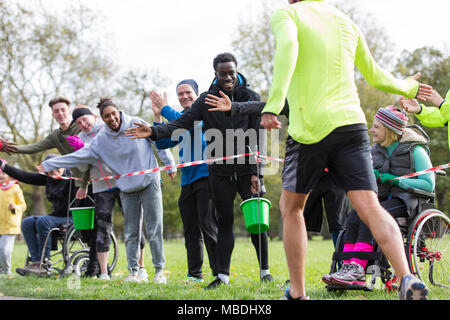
(398, 150)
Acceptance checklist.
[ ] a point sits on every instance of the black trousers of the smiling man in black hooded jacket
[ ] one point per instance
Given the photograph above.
(223, 190)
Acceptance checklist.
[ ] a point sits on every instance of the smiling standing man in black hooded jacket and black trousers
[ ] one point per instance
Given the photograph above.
(229, 178)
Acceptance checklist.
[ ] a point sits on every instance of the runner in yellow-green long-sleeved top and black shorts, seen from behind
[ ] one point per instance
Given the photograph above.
(317, 48)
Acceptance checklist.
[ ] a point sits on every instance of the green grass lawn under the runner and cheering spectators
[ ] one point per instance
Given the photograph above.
(245, 284)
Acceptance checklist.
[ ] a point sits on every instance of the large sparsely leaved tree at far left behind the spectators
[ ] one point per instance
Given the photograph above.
(42, 56)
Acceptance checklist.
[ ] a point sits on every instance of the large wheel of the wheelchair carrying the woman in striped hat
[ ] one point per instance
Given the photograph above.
(429, 248)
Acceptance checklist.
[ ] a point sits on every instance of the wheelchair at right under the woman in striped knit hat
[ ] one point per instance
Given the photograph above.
(426, 237)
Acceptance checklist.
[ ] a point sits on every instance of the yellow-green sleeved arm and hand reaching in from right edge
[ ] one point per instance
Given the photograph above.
(437, 116)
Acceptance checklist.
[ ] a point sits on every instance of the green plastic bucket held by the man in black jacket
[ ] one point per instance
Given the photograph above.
(249, 208)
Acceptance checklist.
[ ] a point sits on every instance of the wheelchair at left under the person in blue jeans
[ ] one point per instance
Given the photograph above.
(69, 251)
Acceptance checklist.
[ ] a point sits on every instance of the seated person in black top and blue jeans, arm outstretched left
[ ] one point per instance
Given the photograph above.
(36, 228)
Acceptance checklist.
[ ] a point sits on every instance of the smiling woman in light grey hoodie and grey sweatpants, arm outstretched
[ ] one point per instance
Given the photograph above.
(136, 192)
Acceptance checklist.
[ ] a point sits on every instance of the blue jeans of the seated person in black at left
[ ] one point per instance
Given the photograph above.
(35, 230)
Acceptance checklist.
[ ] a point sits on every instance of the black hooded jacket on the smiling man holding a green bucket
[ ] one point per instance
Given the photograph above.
(223, 123)
